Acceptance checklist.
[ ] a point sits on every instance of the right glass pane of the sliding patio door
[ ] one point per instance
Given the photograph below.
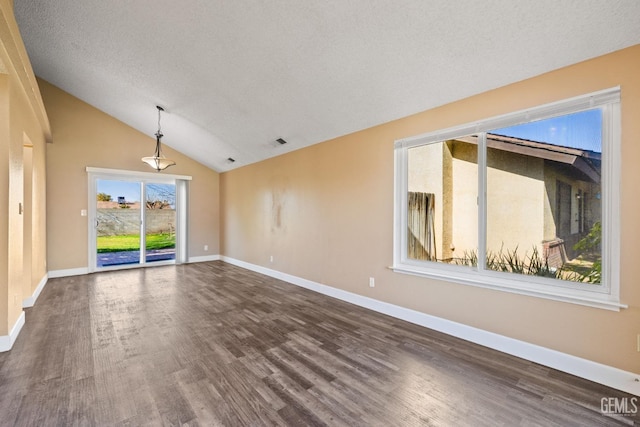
(160, 222)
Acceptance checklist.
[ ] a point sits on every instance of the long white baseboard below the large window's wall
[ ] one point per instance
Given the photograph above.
(587, 369)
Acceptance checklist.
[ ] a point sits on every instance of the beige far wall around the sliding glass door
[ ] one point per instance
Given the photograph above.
(84, 136)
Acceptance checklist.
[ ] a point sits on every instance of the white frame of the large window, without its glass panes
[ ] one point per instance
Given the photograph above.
(605, 295)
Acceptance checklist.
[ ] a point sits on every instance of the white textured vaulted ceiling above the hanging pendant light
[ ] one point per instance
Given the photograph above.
(235, 75)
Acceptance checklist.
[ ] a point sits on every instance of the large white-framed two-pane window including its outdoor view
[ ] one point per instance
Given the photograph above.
(525, 202)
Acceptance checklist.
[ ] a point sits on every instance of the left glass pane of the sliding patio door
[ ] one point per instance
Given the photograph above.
(118, 222)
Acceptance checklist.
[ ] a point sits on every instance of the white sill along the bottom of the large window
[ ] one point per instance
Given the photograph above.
(587, 298)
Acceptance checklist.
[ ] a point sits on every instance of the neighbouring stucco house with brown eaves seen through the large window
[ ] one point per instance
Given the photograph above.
(540, 196)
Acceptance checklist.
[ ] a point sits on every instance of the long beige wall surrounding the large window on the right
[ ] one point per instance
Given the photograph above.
(325, 213)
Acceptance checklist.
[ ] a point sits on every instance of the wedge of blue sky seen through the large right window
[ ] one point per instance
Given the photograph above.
(579, 130)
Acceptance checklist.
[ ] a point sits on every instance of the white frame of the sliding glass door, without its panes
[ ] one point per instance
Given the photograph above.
(182, 204)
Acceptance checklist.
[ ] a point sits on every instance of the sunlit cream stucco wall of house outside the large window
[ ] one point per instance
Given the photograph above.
(515, 197)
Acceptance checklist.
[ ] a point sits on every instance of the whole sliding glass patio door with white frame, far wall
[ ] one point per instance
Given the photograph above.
(136, 220)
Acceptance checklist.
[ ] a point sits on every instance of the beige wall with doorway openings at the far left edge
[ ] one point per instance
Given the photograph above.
(22, 121)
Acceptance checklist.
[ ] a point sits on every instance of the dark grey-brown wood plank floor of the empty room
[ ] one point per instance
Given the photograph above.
(212, 344)
